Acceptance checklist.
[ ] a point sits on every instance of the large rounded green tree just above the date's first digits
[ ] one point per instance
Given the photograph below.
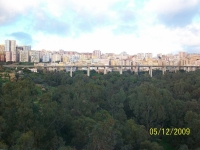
(146, 103)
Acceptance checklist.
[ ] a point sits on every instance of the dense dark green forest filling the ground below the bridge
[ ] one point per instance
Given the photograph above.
(53, 111)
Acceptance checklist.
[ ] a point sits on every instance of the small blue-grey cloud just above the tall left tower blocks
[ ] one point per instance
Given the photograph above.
(22, 37)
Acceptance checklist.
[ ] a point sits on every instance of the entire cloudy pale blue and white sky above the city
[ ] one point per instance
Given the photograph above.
(112, 26)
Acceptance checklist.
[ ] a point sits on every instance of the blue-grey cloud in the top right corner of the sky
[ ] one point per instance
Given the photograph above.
(172, 13)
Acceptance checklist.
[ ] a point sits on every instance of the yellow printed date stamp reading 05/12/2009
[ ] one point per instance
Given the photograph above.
(169, 131)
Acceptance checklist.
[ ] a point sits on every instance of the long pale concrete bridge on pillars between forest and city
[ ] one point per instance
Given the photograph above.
(105, 67)
